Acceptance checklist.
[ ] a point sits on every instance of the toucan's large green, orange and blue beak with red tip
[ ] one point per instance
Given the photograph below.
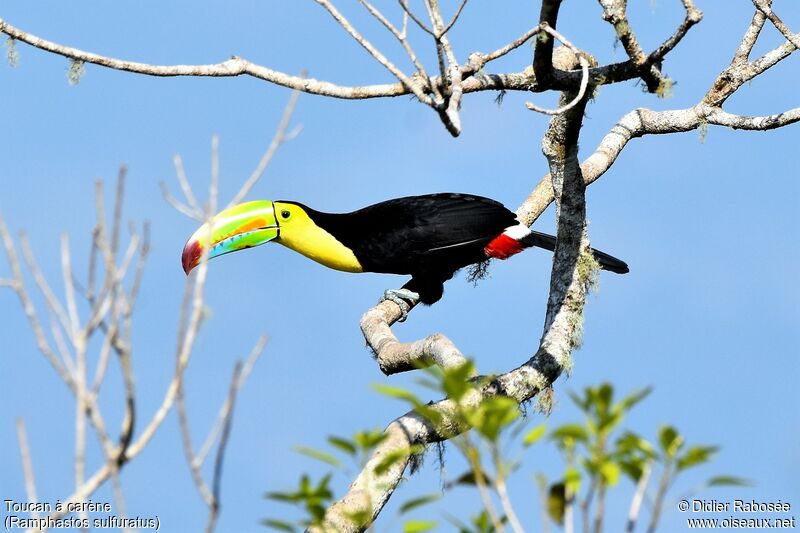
(239, 227)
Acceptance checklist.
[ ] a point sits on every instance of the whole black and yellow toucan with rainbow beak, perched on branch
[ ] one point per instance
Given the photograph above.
(429, 237)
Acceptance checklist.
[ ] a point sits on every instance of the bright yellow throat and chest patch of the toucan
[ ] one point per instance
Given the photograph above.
(319, 245)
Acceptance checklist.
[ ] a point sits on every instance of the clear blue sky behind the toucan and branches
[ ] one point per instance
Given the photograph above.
(708, 314)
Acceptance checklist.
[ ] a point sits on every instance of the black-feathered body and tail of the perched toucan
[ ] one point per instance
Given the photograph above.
(430, 237)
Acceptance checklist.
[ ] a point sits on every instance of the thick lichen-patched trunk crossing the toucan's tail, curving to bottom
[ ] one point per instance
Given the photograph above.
(373, 486)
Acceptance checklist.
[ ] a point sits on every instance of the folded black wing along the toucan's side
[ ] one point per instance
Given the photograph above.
(444, 231)
